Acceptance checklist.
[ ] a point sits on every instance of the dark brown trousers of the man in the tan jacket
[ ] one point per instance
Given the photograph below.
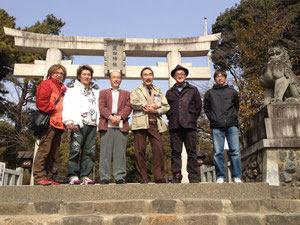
(157, 150)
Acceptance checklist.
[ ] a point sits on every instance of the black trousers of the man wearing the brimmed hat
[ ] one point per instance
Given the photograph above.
(188, 137)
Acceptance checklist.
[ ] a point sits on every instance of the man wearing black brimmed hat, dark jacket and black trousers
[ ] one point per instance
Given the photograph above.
(185, 107)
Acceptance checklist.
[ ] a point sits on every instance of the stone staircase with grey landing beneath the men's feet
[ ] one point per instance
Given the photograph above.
(143, 204)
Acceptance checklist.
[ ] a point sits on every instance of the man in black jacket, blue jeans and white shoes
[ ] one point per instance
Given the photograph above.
(221, 105)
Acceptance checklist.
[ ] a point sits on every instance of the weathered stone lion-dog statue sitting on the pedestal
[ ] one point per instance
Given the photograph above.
(278, 79)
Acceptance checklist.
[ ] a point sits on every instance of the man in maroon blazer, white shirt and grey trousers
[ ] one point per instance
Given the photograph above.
(114, 107)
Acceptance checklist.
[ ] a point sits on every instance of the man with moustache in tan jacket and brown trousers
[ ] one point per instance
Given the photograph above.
(149, 104)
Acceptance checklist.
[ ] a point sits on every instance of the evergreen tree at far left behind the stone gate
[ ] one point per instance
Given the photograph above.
(16, 110)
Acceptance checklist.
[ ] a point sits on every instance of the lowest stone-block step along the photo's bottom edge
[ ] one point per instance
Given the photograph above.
(158, 219)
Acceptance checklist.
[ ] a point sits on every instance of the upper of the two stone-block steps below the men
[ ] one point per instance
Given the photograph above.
(156, 206)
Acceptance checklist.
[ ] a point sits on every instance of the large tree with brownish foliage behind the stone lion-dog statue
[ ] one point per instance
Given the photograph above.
(248, 30)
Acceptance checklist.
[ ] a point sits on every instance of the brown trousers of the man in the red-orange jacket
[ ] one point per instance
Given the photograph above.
(46, 154)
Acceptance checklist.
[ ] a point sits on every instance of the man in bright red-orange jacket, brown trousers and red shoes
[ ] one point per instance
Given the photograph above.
(47, 93)
